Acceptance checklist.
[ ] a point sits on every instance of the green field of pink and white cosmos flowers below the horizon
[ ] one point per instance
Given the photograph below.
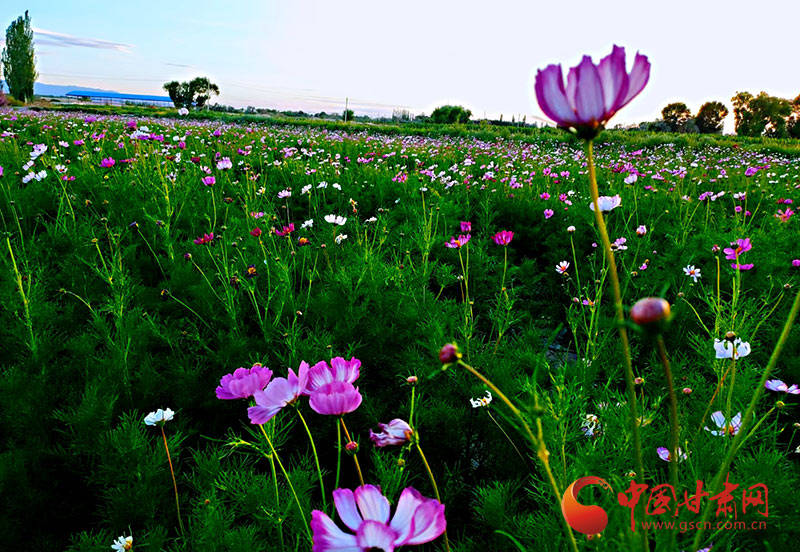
(312, 307)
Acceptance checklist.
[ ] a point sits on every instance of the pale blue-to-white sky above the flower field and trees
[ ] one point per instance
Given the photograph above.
(312, 54)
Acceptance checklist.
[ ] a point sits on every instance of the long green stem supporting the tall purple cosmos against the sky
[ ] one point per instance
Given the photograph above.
(620, 318)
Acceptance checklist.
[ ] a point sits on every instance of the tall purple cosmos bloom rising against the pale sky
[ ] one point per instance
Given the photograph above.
(593, 94)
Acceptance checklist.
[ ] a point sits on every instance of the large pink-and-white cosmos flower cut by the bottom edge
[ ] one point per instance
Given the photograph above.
(366, 512)
